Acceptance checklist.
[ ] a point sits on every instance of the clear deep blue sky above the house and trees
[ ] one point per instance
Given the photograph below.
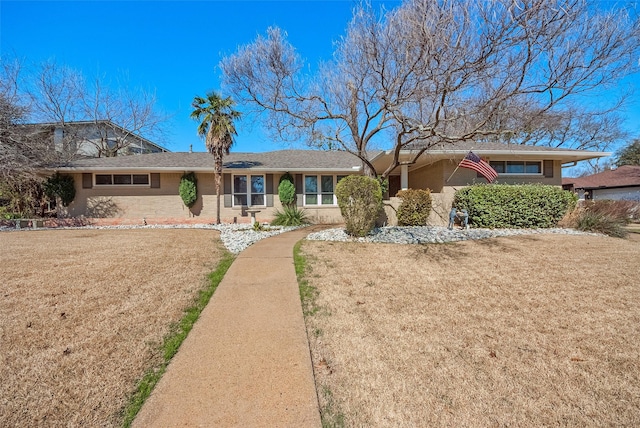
(173, 47)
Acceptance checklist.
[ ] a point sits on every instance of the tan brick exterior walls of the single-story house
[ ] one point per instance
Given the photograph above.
(136, 204)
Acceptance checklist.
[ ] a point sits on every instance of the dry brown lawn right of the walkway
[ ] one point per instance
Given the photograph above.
(523, 331)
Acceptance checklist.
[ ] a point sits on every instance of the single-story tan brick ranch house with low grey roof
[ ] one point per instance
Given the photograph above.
(146, 186)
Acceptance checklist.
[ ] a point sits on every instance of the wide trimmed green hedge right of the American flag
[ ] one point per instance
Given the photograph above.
(514, 206)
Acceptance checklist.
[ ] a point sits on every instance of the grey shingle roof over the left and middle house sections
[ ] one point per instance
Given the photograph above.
(281, 160)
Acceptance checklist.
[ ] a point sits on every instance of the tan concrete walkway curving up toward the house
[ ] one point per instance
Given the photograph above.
(246, 362)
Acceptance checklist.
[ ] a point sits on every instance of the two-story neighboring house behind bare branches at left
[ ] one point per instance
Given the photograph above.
(92, 138)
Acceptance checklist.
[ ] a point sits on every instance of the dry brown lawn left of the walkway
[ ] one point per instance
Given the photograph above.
(82, 312)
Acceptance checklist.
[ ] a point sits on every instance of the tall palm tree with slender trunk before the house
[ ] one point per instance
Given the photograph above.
(216, 116)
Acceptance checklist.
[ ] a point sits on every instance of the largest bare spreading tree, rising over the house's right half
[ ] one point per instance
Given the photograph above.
(433, 72)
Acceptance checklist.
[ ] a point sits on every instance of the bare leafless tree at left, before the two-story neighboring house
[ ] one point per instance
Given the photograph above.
(60, 95)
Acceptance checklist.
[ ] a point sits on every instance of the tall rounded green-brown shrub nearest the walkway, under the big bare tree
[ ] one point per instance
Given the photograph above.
(360, 201)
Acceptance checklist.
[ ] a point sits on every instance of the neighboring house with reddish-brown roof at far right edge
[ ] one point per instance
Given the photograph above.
(620, 183)
